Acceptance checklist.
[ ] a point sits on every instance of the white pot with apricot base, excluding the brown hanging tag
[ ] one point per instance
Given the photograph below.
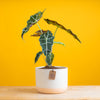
(45, 85)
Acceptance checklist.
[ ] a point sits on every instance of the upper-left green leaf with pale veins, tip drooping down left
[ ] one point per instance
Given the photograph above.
(33, 20)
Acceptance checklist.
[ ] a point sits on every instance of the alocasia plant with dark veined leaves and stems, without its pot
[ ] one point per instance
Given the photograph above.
(46, 37)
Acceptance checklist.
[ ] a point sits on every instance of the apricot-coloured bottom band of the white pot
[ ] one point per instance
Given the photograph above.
(52, 91)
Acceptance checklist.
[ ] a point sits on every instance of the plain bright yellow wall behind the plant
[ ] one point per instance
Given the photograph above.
(17, 66)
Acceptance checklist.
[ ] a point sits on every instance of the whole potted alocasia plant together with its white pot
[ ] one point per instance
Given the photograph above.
(49, 78)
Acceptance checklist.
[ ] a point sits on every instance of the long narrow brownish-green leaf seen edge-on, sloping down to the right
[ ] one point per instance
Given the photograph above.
(62, 27)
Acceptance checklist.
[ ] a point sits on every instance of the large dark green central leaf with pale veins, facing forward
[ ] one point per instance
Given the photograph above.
(46, 42)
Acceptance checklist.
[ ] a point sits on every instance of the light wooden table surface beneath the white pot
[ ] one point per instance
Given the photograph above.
(30, 93)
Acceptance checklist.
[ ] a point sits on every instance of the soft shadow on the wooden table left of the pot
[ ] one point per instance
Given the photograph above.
(26, 90)
